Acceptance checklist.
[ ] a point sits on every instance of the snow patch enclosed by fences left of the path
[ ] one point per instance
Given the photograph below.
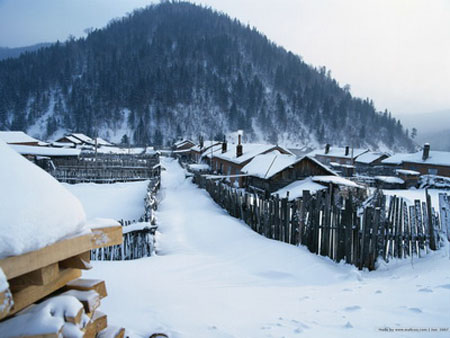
(117, 200)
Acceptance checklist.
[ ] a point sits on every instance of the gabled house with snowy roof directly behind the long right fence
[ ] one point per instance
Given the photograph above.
(272, 171)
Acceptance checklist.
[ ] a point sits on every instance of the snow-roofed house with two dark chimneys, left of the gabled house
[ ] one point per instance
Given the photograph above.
(230, 161)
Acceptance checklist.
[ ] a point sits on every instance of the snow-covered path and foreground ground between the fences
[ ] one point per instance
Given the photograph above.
(214, 277)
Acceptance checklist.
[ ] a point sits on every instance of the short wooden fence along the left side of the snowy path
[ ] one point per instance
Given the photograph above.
(139, 241)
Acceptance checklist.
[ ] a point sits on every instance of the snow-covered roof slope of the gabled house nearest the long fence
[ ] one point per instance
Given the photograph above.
(269, 164)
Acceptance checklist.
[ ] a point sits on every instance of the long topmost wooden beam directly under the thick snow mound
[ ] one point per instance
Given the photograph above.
(15, 266)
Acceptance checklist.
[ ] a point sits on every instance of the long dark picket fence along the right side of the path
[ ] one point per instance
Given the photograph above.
(334, 224)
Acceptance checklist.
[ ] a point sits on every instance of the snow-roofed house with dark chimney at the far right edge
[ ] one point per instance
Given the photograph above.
(426, 162)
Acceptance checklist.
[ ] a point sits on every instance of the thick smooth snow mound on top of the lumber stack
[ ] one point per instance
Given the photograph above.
(35, 209)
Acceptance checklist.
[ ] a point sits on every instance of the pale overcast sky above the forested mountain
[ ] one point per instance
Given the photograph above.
(396, 52)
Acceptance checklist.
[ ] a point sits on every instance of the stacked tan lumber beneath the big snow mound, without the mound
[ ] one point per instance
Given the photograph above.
(45, 296)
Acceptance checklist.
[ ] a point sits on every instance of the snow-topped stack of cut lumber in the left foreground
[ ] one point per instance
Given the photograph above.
(45, 243)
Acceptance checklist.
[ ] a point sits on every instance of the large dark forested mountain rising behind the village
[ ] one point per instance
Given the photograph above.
(178, 69)
